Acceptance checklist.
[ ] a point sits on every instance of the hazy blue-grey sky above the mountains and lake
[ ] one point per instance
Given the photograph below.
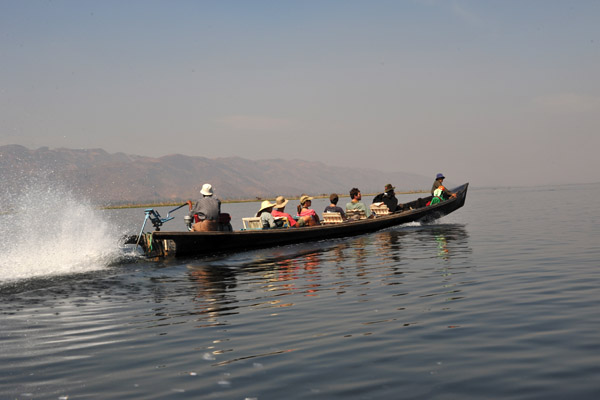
(491, 92)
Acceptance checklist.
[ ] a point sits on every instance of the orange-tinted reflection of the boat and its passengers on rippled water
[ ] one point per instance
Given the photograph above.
(337, 265)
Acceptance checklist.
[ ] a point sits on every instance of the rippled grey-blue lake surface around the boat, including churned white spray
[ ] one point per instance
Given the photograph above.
(498, 300)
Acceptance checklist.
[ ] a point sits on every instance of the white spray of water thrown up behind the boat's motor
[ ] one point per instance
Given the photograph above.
(49, 231)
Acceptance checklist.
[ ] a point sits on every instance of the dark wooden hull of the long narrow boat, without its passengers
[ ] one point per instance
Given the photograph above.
(162, 244)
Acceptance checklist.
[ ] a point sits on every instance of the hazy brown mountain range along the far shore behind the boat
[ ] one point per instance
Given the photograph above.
(124, 178)
